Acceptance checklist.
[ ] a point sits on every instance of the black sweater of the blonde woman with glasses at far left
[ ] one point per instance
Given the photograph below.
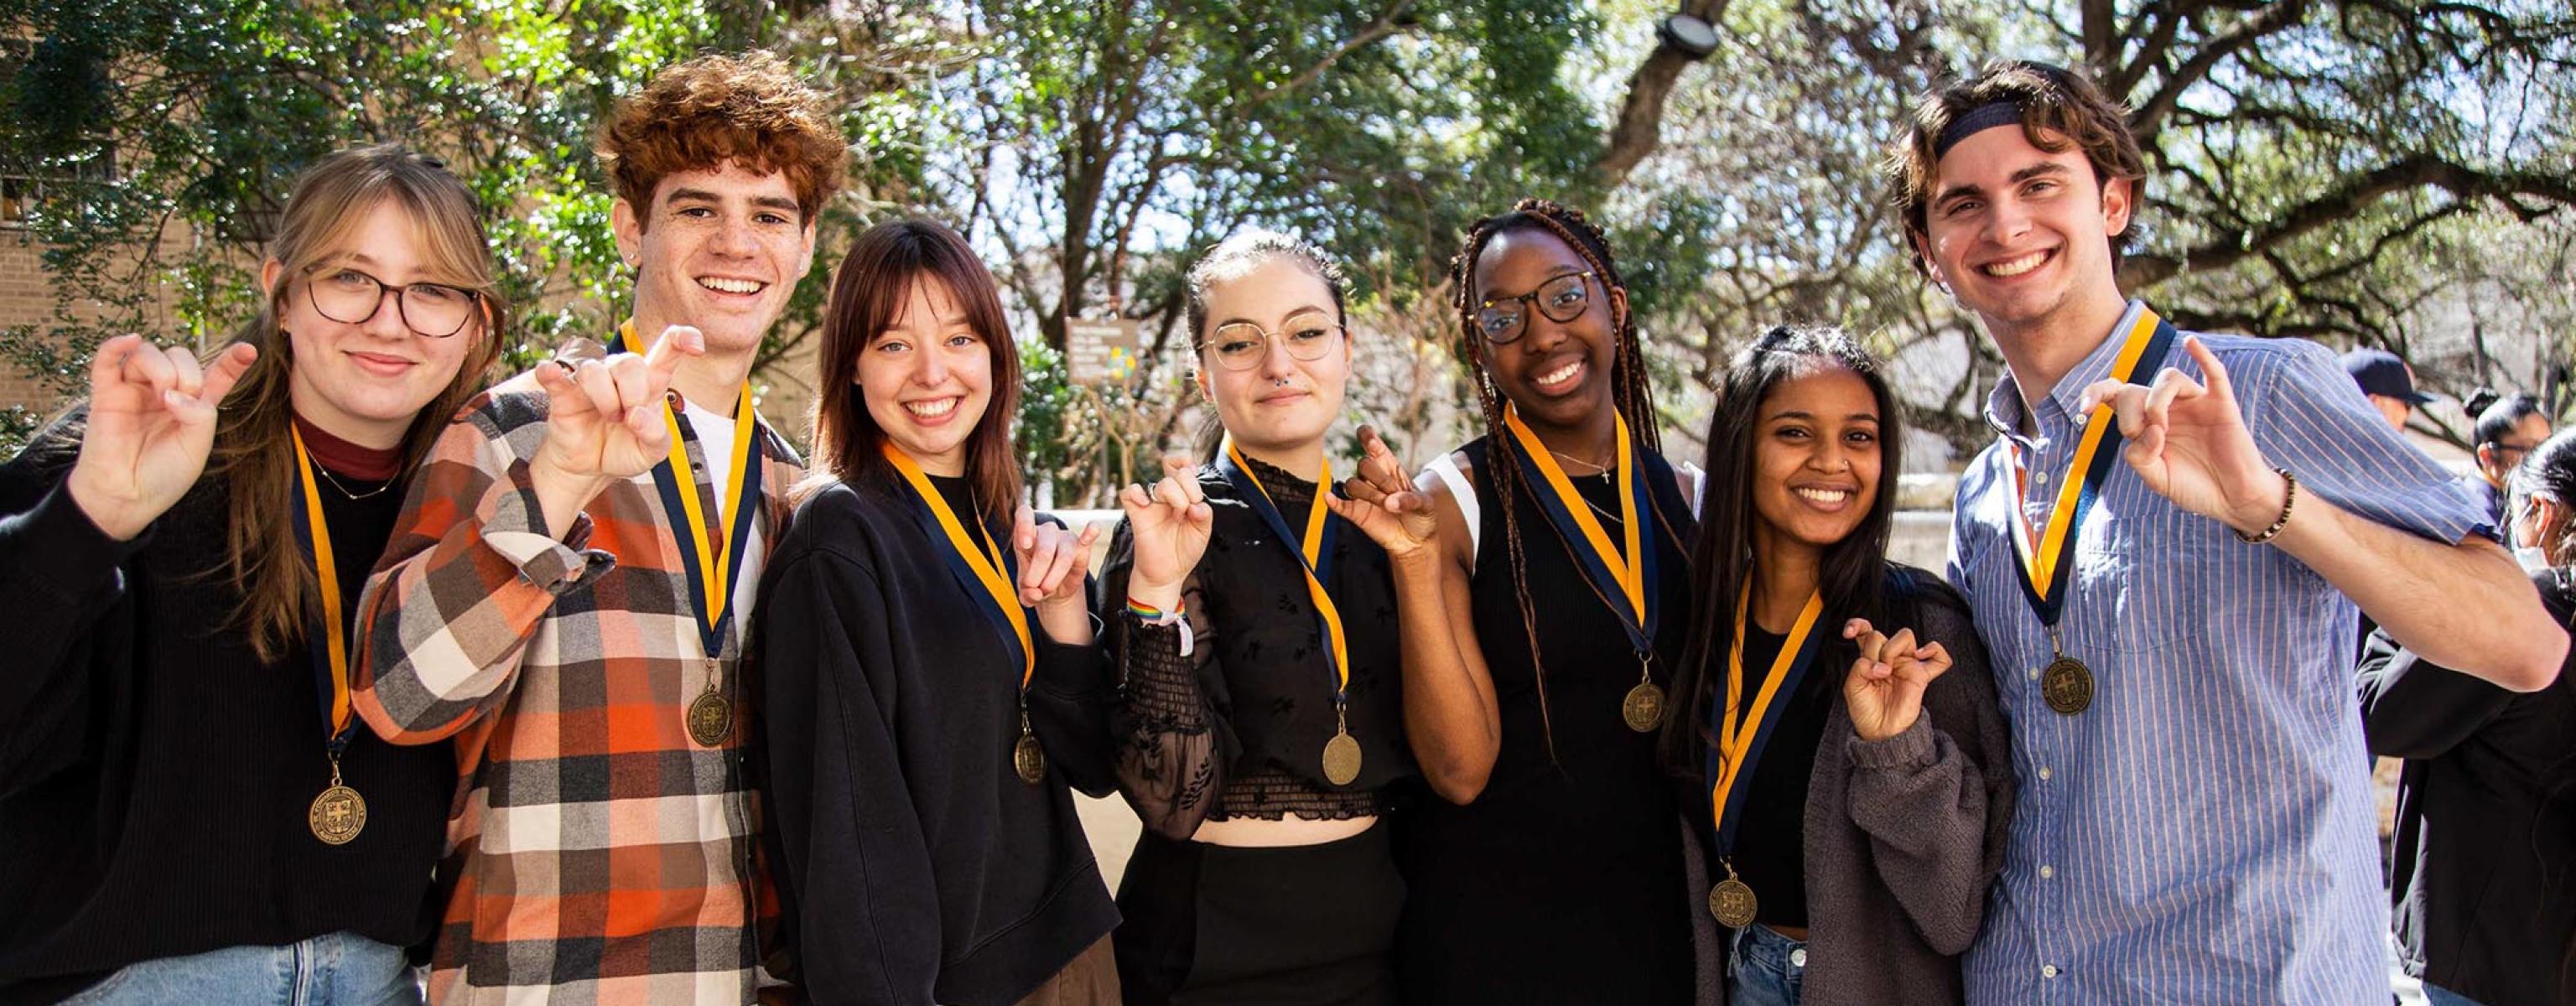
(156, 773)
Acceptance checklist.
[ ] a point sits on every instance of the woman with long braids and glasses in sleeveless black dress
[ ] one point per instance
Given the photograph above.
(1555, 871)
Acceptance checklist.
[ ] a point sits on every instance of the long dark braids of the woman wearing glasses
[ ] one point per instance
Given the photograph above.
(1629, 387)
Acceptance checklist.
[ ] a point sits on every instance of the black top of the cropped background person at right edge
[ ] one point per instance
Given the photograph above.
(2485, 871)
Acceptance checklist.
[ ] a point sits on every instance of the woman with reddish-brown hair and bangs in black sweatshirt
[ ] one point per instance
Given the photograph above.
(926, 665)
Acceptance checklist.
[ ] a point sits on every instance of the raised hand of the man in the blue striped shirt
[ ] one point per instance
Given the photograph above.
(2191, 444)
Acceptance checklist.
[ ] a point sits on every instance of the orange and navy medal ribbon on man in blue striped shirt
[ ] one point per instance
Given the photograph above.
(2041, 560)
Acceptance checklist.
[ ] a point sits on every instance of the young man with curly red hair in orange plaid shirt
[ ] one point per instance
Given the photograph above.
(571, 578)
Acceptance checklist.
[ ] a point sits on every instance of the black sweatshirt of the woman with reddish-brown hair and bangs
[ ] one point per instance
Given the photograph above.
(916, 866)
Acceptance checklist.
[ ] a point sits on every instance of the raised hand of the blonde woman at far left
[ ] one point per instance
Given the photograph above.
(151, 431)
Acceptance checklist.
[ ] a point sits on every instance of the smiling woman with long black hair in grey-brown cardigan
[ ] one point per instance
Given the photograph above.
(1838, 740)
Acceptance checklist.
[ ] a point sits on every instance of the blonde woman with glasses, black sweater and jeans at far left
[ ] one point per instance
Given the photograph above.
(187, 804)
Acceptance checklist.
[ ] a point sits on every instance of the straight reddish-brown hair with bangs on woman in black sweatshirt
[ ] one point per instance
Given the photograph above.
(869, 295)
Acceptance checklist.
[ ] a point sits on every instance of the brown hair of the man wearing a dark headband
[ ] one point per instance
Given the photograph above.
(2060, 109)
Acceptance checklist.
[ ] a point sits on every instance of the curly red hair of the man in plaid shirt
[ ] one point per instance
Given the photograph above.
(725, 109)
